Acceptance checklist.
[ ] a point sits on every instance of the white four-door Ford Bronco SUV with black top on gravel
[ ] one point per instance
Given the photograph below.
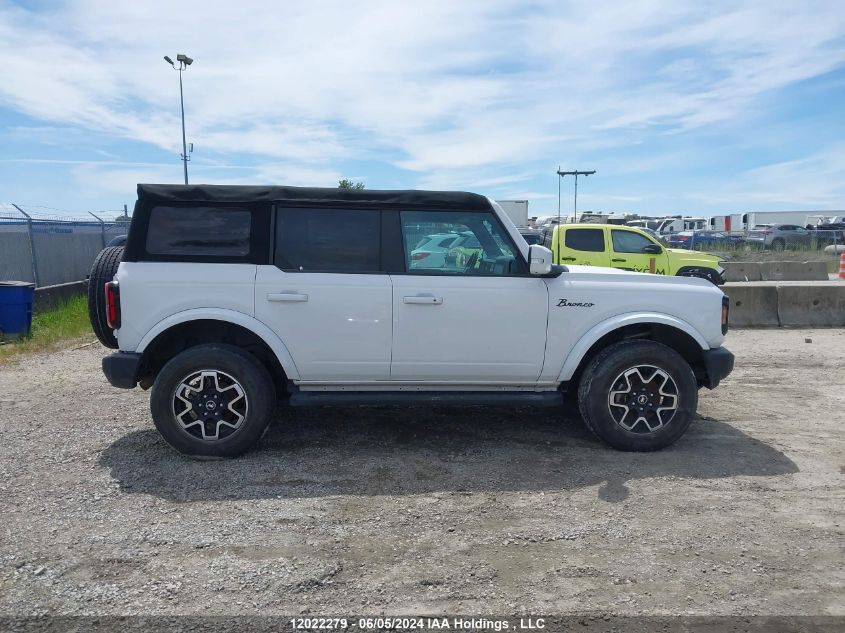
(230, 299)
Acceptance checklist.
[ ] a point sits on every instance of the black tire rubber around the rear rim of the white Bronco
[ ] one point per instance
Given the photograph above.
(246, 369)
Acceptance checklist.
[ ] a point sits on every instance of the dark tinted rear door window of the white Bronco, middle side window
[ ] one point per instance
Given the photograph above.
(328, 240)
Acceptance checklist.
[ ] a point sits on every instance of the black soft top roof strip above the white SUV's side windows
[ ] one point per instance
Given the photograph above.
(316, 196)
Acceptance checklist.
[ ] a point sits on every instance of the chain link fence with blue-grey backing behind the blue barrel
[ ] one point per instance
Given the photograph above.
(48, 249)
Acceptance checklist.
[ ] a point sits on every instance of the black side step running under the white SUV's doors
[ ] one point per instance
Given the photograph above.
(394, 398)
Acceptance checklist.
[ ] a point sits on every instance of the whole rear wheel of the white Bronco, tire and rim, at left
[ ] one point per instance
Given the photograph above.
(212, 401)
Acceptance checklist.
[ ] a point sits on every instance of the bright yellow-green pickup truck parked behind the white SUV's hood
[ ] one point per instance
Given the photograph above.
(627, 248)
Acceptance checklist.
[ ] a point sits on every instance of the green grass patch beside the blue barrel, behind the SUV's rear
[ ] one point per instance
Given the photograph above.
(51, 329)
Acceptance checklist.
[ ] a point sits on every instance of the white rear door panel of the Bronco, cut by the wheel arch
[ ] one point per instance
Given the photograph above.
(337, 327)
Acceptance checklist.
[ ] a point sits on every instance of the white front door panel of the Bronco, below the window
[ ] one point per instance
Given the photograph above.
(468, 328)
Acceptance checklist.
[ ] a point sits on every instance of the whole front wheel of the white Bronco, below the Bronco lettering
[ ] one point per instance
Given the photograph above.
(638, 395)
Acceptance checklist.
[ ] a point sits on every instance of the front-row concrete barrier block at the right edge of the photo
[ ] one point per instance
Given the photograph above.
(811, 305)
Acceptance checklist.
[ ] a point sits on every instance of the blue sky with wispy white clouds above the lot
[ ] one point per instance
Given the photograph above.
(680, 106)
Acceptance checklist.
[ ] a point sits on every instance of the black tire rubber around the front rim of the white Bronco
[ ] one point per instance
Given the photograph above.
(599, 378)
